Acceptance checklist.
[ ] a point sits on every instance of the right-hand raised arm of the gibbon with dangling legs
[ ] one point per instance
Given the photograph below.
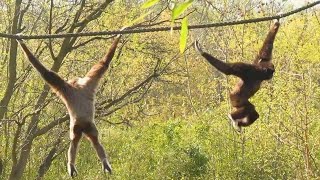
(96, 72)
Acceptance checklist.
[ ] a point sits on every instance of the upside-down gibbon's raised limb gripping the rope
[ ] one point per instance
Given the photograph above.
(265, 53)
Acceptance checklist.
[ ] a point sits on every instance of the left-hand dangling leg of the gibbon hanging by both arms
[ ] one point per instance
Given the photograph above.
(75, 136)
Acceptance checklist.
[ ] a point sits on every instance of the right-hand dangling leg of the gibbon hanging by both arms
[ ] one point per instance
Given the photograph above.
(92, 134)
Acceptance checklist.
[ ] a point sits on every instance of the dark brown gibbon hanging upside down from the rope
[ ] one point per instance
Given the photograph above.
(251, 77)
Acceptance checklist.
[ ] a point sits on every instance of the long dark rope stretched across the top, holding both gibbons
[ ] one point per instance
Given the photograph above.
(157, 29)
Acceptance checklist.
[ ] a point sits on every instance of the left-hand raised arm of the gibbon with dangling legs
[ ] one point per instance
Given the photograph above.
(53, 79)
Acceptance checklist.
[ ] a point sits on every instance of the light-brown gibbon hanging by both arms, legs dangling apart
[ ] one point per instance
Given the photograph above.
(79, 97)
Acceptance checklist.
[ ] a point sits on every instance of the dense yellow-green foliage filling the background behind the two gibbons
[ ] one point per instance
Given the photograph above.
(174, 126)
